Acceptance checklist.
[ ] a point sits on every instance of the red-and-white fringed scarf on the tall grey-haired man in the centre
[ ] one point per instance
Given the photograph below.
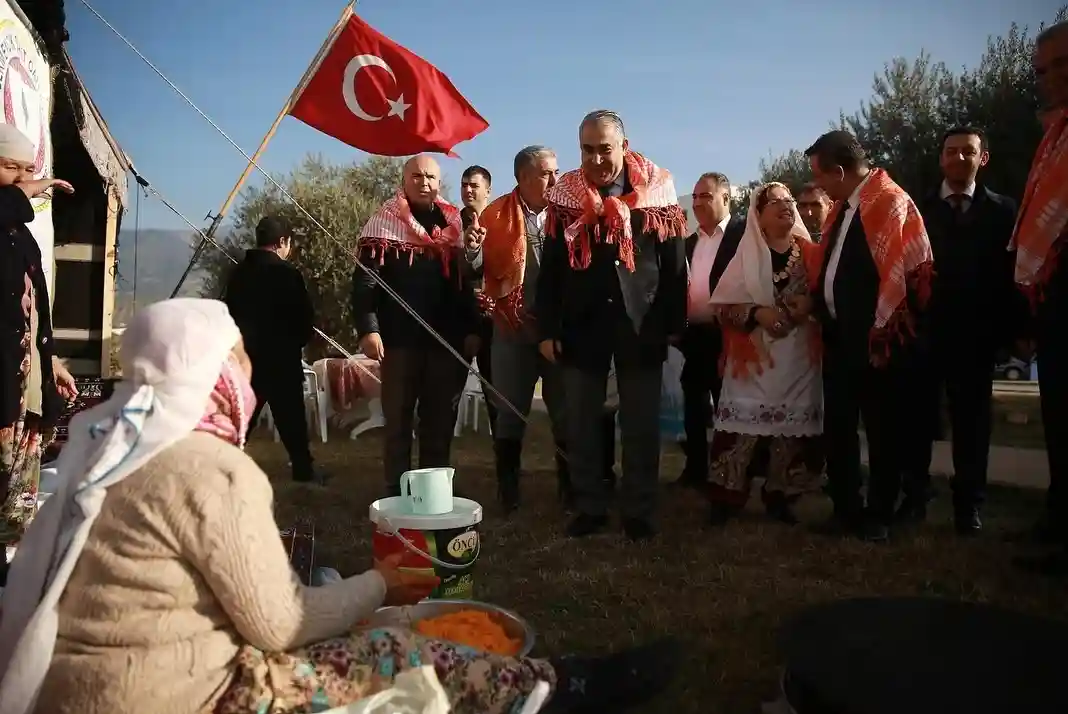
(576, 204)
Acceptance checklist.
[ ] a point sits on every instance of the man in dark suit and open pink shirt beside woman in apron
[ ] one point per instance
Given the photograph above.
(709, 251)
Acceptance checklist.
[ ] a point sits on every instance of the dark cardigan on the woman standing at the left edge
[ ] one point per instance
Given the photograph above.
(21, 257)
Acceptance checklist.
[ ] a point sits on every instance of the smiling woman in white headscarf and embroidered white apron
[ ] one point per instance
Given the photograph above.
(773, 388)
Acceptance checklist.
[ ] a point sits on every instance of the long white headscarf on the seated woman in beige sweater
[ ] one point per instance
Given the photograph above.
(172, 355)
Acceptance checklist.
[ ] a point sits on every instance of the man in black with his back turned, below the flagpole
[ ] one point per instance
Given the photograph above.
(270, 303)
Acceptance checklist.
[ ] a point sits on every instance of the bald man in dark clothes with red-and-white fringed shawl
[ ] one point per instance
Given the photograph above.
(414, 244)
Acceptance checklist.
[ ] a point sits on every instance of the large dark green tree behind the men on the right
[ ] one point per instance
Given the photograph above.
(915, 103)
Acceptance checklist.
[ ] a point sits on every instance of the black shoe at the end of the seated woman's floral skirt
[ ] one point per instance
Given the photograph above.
(615, 683)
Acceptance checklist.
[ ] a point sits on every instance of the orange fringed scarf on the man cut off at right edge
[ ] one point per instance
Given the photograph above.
(1040, 235)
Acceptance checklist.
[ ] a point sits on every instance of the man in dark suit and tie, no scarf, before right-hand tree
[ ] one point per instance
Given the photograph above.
(976, 312)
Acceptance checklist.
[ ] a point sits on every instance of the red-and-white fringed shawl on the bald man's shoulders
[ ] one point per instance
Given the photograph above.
(395, 228)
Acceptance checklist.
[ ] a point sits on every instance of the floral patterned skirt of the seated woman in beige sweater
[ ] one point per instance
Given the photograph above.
(340, 672)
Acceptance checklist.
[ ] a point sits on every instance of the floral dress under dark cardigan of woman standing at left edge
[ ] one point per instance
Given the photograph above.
(22, 446)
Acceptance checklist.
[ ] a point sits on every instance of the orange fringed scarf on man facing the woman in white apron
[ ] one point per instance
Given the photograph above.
(902, 252)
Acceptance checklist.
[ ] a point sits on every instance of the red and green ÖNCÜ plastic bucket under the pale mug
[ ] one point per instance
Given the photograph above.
(447, 545)
